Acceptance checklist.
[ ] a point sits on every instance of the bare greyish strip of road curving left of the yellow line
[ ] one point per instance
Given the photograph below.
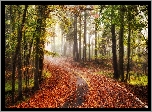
(78, 97)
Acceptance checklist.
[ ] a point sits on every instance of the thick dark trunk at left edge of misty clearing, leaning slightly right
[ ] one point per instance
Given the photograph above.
(39, 56)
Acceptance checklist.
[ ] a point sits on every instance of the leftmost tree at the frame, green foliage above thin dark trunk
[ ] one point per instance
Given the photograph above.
(10, 46)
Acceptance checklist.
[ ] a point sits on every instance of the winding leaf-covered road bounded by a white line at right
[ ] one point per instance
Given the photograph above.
(87, 80)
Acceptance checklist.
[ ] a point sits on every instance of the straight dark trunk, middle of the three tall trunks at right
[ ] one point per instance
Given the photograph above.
(121, 45)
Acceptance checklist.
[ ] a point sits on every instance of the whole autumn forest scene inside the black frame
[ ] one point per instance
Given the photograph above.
(76, 56)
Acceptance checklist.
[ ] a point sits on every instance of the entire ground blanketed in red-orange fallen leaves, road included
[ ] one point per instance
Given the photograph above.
(74, 85)
